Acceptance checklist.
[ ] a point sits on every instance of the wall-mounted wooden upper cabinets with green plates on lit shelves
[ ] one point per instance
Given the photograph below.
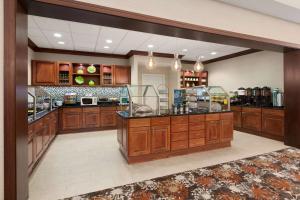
(64, 74)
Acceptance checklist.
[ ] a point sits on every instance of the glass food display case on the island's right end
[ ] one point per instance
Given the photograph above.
(211, 98)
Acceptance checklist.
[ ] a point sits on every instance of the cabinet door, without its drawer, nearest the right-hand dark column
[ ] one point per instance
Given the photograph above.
(273, 125)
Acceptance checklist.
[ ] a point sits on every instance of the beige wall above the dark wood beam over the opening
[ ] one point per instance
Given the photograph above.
(212, 14)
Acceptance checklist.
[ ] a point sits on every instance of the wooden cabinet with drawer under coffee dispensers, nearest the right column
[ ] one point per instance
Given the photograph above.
(273, 122)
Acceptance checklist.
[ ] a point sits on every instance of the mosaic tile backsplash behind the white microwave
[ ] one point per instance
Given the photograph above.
(102, 92)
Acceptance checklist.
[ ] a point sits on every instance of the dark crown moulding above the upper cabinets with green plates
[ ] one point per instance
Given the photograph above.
(79, 53)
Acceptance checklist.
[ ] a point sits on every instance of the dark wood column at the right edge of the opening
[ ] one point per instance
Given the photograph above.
(292, 98)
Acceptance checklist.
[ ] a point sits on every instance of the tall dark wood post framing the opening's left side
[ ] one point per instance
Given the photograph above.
(15, 101)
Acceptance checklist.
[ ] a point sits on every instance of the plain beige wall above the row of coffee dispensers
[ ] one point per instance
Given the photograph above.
(257, 69)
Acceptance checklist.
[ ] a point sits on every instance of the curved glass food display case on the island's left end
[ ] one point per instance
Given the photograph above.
(143, 100)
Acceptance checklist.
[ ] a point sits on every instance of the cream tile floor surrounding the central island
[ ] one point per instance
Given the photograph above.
(86, 162)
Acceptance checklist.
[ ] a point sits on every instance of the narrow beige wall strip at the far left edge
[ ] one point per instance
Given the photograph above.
(1, 103)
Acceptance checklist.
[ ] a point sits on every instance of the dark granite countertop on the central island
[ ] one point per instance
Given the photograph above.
(125, 114)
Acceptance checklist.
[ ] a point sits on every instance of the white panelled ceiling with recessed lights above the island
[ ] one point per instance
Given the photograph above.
(92, 38)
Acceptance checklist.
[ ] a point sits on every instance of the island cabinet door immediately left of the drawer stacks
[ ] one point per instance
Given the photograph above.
(160, 139)
